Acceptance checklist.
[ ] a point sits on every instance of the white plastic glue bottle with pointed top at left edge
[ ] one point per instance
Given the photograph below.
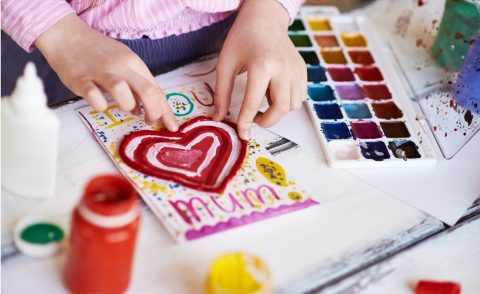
(30, 132)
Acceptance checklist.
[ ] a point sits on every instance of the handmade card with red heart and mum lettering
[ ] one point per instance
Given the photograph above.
(202, 179)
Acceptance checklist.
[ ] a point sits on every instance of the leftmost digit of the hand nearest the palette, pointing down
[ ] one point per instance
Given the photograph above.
(223, 89)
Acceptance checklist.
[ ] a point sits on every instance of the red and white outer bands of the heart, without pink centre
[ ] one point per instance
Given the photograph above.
(211, 178)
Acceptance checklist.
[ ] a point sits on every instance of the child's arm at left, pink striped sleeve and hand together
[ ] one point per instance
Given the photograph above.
(86, 61)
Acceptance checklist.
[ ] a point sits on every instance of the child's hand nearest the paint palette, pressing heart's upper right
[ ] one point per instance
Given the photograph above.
(259, 44)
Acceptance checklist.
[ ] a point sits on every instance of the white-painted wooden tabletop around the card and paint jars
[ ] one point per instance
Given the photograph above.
(359, 238)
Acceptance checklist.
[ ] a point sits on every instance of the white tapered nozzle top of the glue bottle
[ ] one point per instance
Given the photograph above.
(29, 93)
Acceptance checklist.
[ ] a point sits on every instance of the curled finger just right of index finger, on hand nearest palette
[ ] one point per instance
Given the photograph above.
(280, 93)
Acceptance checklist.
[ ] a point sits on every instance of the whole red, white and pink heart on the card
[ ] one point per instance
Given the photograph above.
(203, 154)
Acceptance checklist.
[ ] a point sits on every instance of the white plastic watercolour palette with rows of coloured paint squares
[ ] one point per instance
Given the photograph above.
(362, 116)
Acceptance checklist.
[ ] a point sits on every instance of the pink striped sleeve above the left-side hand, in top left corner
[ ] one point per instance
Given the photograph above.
(25, 21)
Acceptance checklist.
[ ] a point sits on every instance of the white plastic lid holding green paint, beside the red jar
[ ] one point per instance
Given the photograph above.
(40, 236)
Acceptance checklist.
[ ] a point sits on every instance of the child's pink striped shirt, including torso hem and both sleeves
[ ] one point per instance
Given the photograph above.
(24, 20)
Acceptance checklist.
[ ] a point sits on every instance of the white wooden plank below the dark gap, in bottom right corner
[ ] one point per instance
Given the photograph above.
(450, 255)
